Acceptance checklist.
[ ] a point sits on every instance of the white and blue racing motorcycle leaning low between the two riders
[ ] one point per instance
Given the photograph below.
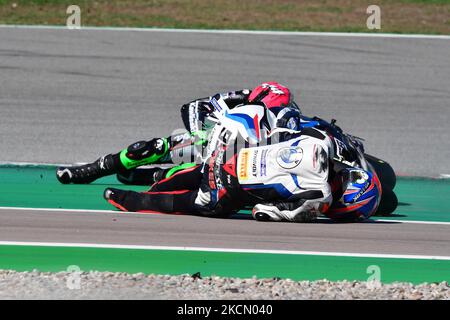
(254, 125)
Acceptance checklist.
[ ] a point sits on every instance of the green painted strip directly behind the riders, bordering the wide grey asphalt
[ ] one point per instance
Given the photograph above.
(37, 187)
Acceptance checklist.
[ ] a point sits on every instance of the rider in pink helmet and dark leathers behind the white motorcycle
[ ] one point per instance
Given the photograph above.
(276, 98)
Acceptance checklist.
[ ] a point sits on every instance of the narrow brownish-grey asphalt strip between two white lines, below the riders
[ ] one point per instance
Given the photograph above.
(170, 230)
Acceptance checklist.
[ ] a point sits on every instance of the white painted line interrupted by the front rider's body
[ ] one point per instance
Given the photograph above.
(140, 214)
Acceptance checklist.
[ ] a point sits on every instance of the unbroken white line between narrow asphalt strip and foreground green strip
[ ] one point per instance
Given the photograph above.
(225, 250)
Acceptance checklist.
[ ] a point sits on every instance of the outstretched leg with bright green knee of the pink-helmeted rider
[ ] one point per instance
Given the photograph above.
(140, 153)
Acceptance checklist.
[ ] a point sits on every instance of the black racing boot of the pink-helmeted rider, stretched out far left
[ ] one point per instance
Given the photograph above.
(88, 173)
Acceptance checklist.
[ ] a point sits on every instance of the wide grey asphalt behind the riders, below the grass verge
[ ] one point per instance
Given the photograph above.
(69, 96)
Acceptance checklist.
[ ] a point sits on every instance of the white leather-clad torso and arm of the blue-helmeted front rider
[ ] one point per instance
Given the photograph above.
(295, 171)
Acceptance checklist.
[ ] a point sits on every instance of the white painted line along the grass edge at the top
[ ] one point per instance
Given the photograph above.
(230, 31)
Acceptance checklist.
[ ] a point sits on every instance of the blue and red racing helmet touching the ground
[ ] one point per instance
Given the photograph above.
(357, 197)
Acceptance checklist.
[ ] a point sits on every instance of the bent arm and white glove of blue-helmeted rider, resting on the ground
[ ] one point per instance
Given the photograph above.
(304, 208)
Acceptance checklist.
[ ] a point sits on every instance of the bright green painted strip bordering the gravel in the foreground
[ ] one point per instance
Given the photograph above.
(225, 264)
